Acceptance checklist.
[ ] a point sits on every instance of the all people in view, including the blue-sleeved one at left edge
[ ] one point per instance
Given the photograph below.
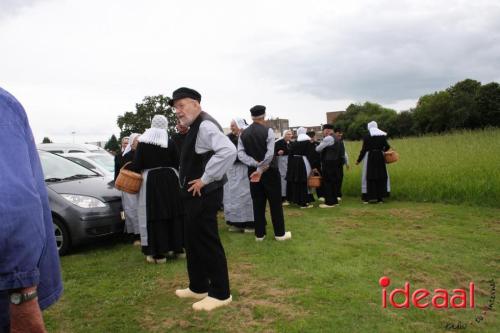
(187, 178)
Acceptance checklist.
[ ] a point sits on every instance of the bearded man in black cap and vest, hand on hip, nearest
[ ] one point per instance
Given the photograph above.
(206, 155)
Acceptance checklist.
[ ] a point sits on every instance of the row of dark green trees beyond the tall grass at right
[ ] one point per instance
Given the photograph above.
(466, 105)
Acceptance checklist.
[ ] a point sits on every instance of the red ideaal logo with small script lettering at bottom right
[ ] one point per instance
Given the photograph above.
(440, 298)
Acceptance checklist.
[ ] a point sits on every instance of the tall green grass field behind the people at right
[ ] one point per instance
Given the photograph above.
(461, 167)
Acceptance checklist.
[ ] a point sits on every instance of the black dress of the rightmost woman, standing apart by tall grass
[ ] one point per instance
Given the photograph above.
(375, 180)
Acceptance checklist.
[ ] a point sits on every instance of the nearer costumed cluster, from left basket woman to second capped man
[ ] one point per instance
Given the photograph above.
(187, 178)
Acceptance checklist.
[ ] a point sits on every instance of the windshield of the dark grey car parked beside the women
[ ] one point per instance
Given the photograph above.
(57, 167)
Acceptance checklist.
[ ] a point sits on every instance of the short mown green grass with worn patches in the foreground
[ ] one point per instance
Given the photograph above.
(324, 280)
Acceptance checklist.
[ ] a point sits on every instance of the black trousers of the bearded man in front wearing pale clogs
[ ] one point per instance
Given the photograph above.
(206, 259)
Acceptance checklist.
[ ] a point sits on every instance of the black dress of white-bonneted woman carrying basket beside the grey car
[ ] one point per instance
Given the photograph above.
(164, 209)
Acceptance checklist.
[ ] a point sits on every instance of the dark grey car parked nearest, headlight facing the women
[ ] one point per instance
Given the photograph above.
(84, 205)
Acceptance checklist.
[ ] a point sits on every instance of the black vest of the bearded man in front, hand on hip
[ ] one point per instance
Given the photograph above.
(192, 165)
